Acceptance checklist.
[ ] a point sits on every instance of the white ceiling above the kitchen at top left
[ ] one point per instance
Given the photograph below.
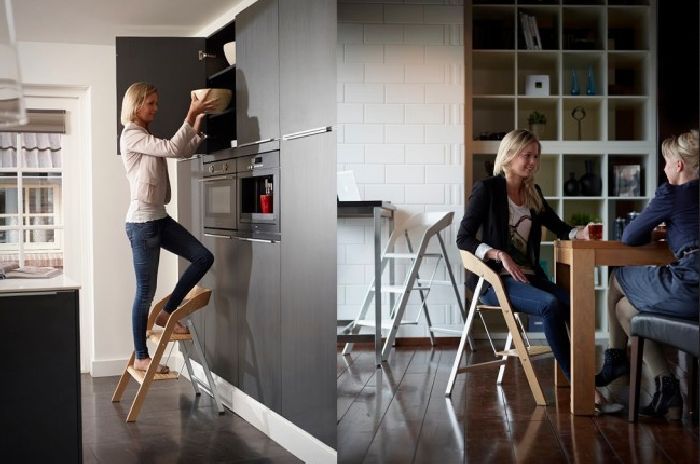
(100, 21)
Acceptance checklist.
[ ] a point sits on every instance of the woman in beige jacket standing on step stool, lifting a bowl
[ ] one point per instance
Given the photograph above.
(148, 225)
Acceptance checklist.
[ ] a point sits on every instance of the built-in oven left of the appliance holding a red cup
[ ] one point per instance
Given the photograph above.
(219, 195)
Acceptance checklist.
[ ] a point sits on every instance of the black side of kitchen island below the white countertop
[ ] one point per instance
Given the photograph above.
(40, 418)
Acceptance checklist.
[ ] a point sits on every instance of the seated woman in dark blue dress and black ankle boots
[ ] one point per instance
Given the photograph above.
(670, 290)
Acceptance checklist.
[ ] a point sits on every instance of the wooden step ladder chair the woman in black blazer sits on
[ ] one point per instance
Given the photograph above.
(516, 332)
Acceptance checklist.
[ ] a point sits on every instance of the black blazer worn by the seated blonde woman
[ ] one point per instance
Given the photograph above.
(488, 211)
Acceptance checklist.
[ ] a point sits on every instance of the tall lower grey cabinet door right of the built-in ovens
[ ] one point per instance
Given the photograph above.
(309, 284)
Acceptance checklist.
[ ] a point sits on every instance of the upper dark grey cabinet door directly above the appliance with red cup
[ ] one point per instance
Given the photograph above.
(257, 72)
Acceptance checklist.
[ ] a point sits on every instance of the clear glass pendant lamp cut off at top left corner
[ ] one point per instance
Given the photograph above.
(12, 112)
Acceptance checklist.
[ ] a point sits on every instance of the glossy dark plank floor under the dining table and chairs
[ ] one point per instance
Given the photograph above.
(399, 414)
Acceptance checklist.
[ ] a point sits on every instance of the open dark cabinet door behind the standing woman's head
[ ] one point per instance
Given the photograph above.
(172, 64)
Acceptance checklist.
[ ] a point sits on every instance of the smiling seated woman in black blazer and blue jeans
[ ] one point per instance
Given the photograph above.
(510, 210)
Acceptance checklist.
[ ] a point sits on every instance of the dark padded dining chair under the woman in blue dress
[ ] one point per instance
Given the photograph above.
(682, 334)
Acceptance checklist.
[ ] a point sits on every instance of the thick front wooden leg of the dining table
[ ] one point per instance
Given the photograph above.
(583, 315)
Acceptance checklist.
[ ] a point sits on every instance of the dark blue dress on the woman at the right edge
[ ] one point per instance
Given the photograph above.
(673, 289)
